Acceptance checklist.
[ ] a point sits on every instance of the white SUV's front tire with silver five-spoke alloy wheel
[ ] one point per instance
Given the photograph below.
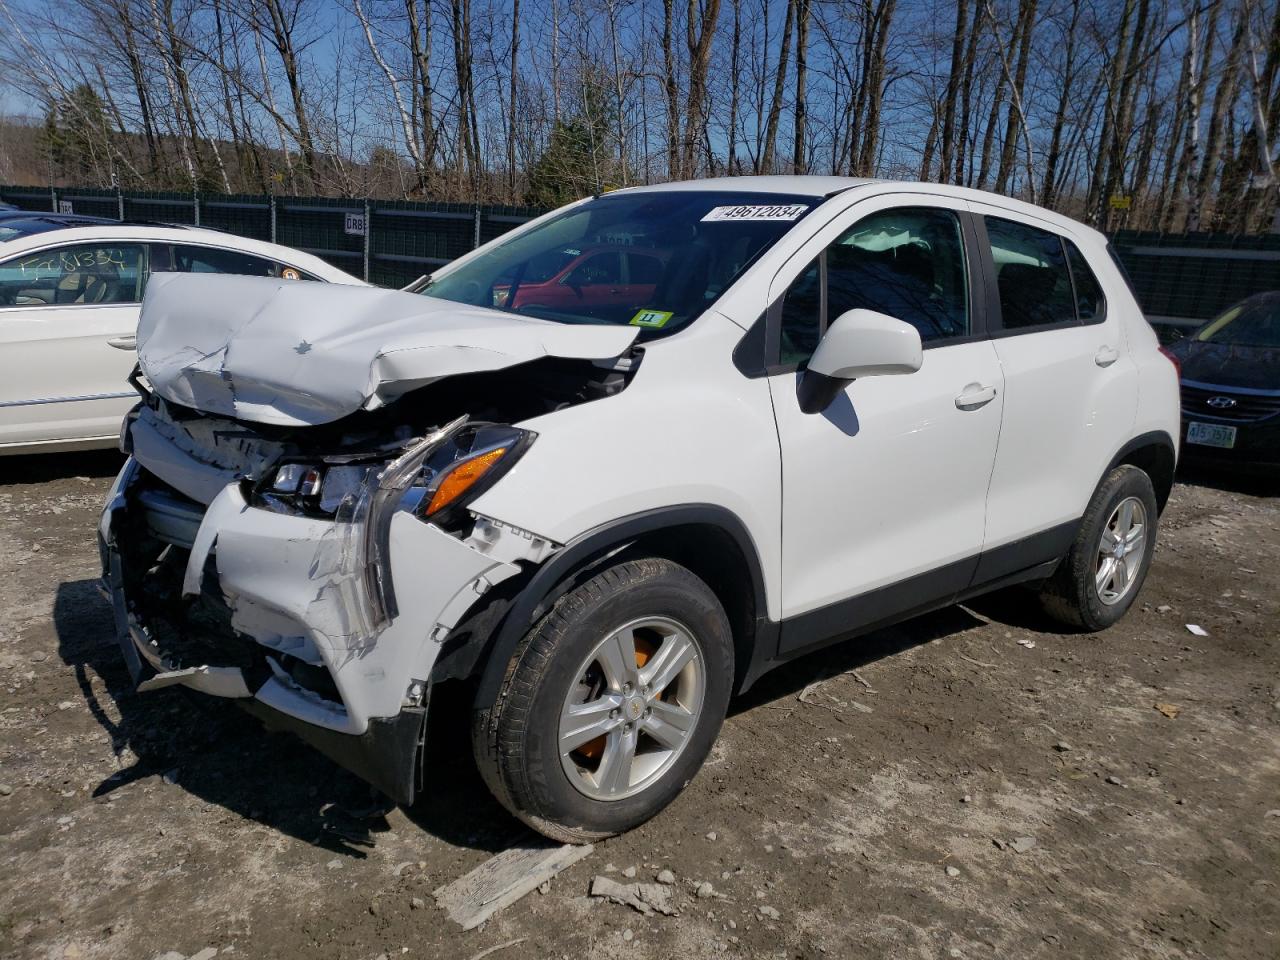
(611, 703)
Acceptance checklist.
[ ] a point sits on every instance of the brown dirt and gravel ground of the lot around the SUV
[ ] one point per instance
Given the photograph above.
(875, 822)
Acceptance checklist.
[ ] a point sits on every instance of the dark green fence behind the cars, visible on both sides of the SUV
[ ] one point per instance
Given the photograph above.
(1181, 280)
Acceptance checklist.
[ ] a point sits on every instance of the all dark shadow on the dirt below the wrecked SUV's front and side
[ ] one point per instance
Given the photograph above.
(222, 756)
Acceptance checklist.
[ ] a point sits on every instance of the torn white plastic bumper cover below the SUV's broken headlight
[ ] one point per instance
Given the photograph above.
(286, 583)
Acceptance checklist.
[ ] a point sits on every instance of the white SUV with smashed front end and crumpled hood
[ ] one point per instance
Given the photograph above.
(618, 464)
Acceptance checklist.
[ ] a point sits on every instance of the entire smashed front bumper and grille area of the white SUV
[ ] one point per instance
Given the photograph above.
(355, 598)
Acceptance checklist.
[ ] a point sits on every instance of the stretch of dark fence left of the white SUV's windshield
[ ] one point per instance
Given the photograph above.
(388, 243)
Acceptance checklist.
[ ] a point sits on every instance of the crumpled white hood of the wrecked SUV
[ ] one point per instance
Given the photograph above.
(296, 353)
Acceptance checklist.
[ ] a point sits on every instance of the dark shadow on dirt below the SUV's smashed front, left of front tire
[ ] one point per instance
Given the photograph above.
(222, 756)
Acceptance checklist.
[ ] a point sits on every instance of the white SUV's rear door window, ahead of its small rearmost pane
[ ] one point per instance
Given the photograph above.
(1032, 276)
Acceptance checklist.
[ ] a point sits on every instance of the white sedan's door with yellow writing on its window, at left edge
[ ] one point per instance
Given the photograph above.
(68, 319)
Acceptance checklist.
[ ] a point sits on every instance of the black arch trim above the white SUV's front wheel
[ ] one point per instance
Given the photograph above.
(606, 541)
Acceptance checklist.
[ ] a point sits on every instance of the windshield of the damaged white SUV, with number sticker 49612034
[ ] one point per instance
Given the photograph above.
(655, 260)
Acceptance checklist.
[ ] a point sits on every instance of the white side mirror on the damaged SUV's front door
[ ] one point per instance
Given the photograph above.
(858, 344)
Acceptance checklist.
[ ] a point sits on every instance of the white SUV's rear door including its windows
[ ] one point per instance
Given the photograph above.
(1069, 381)
